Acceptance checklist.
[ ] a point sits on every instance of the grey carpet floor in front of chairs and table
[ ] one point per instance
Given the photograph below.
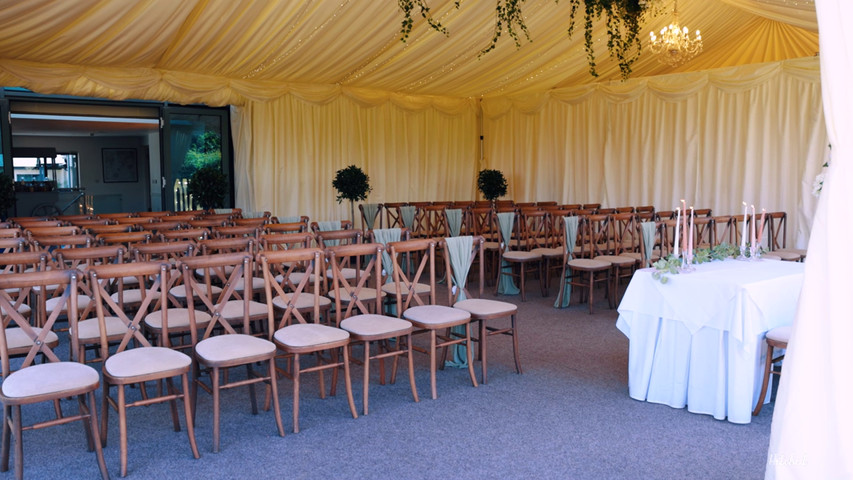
(568, 416)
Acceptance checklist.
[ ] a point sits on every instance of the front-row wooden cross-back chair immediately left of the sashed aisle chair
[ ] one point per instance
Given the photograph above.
(420, 307)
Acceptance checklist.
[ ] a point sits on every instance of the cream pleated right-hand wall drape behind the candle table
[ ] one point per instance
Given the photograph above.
(751, 133)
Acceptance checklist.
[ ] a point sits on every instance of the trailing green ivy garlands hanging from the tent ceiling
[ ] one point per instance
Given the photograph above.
(623, 18)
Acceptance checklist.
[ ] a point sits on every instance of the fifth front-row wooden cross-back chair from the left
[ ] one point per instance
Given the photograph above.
(358, 307)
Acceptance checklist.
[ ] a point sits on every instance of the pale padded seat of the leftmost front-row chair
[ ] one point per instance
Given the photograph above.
(52, 377)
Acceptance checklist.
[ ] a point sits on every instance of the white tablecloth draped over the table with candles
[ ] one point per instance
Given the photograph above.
(698, 340)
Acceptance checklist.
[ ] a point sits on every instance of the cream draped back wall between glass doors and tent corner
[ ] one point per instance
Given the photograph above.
(288, 150)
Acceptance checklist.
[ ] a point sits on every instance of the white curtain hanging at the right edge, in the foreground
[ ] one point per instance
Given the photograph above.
(812, 431)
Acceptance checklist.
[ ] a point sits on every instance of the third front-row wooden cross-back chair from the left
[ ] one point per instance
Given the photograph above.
(229, 340)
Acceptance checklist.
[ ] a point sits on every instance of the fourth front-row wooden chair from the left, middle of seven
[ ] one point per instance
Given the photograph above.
(294, 304)
